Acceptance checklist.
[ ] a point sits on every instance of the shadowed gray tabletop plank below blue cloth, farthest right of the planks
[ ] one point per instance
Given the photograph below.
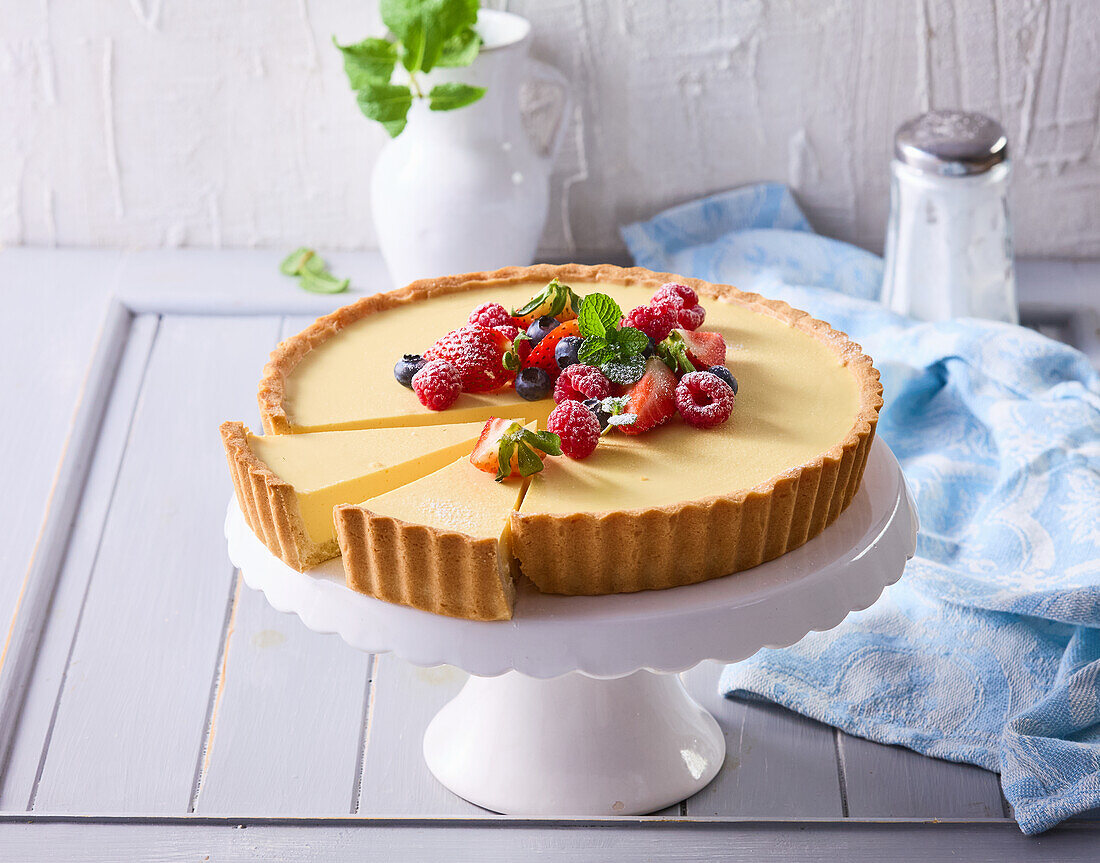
(893, 782)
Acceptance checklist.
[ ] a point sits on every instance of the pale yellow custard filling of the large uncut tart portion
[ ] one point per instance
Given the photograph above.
(796, 401)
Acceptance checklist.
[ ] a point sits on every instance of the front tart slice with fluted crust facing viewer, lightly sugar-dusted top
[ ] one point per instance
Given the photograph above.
(439, 545)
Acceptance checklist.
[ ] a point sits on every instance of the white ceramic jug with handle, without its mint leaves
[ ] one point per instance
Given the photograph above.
(467, 191)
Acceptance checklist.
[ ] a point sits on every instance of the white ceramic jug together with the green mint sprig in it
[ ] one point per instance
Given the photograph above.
(460, 186)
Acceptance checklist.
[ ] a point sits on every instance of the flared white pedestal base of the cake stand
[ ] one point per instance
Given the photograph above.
(571, 745)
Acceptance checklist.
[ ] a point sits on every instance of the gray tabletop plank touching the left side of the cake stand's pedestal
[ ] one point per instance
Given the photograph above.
(395, 780)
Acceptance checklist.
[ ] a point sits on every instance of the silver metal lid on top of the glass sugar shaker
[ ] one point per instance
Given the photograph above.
(951, 143)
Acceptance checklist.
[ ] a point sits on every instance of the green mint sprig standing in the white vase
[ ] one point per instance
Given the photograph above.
(424, 35)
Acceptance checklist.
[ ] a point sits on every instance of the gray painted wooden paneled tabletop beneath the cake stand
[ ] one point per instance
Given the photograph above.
(156, 707)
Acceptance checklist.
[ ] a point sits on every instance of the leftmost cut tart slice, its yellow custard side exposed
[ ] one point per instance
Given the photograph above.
(289, 484)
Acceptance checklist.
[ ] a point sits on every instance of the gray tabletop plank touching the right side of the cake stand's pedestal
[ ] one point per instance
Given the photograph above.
(778, 764)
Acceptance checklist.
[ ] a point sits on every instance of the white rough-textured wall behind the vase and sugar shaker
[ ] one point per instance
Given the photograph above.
(229, 123)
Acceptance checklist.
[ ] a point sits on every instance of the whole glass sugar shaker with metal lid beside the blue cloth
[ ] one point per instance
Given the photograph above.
(949, 251)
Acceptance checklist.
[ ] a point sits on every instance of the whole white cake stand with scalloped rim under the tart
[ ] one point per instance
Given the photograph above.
(575, 707)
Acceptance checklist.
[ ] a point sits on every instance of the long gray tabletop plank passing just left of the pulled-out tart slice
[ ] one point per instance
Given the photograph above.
(131, 717)
